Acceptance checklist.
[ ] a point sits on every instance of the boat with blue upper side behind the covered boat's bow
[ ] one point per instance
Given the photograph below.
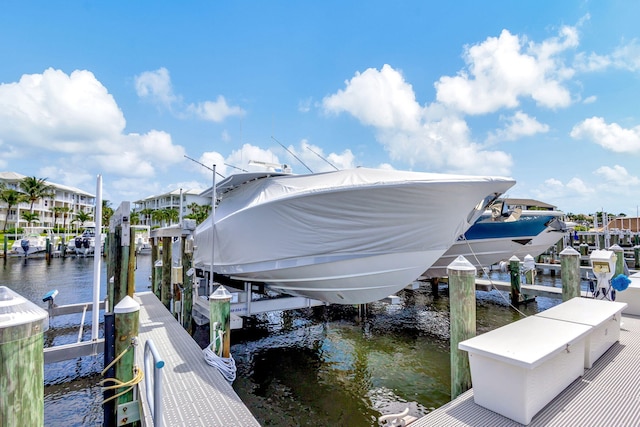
(497, 236)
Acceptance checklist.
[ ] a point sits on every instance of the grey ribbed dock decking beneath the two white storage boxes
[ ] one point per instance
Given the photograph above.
(607, 395)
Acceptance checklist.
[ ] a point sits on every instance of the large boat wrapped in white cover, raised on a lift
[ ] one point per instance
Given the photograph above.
(348, 237)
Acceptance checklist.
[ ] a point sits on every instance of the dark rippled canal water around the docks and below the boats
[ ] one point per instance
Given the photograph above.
(321, 366)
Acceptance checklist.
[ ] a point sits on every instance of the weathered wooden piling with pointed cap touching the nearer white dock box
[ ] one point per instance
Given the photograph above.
(462, 314)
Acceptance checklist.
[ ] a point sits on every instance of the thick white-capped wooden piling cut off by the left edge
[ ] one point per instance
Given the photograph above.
(22, 327)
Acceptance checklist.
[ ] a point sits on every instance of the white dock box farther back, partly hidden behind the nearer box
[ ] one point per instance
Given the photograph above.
(604, 316)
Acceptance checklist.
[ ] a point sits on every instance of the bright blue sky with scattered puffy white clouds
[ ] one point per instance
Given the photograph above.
(546, 92)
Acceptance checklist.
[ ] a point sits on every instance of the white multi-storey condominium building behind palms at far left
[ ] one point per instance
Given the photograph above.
(56, 211)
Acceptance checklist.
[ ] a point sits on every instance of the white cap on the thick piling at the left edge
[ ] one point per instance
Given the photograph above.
(15, 310)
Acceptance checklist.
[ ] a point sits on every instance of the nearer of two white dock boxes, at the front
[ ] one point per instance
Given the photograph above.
(519, 368)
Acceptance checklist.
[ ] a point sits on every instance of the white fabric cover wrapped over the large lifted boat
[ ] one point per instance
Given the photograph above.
(338, 219)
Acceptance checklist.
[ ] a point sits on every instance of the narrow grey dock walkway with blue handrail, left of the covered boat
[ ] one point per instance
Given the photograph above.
(194, 393)
